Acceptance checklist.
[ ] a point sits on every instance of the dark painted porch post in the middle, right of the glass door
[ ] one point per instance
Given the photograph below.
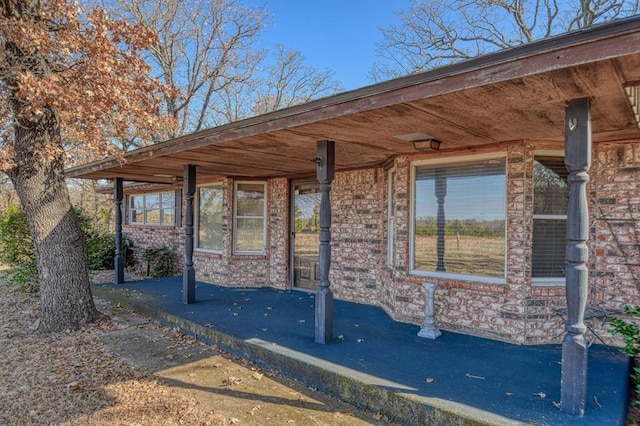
(324, 297)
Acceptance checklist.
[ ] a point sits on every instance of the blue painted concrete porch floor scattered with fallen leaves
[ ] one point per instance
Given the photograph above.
(490, 381)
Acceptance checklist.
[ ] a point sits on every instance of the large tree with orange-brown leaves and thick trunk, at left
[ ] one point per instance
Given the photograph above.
(69, 83)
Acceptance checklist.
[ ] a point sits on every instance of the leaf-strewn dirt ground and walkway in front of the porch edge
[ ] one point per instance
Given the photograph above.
(133, 371)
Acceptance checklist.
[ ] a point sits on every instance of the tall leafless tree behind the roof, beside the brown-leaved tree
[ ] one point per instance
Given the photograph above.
(204, 47)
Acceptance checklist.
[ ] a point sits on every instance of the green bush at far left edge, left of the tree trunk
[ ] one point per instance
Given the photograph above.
(16, 250)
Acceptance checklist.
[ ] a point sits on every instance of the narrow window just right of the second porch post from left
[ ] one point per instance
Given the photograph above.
(209, 218)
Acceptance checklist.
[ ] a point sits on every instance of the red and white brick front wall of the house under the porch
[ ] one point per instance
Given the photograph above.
(516, 311)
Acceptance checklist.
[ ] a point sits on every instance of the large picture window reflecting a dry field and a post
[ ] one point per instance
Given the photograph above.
(459, 220)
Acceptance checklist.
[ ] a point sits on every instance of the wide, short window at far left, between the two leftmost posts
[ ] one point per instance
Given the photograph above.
(153, 209)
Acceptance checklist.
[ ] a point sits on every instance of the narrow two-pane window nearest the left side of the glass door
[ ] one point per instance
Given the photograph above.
(249, 217)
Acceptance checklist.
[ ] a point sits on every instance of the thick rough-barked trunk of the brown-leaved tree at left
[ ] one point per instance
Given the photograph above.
(65, 294)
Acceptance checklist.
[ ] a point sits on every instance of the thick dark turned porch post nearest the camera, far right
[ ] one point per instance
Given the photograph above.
(574, 345)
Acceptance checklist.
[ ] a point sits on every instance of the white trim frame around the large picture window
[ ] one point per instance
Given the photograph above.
(446, 275)
